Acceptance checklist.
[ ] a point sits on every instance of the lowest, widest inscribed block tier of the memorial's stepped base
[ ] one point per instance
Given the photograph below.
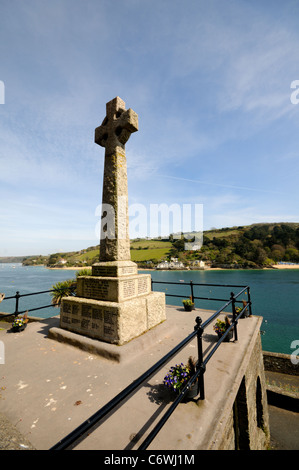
(113, 322)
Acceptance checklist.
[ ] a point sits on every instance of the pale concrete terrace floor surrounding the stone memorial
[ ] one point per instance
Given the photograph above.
(48, 387)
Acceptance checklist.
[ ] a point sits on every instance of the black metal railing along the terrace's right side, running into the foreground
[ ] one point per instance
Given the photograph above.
(88, 426)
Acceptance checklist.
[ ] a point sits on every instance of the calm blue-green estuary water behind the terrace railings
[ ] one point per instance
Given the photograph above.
(274, 295)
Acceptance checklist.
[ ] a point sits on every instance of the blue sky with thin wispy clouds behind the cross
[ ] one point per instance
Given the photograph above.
(210, 82)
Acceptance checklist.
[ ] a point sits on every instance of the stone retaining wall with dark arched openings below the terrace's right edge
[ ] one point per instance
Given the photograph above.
(246, 425)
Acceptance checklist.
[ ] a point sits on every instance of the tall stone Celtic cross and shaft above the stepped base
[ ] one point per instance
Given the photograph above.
(113, 134)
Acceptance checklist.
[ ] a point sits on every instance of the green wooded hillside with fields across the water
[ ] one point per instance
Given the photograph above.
(253, 246)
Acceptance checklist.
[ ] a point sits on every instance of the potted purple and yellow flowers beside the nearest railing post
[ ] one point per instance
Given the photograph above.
(179, 375)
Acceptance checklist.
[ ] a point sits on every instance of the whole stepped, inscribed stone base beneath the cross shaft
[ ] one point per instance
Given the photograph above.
(115, 304)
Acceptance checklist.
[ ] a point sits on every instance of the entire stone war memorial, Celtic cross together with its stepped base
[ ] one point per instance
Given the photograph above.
(115, 304)
